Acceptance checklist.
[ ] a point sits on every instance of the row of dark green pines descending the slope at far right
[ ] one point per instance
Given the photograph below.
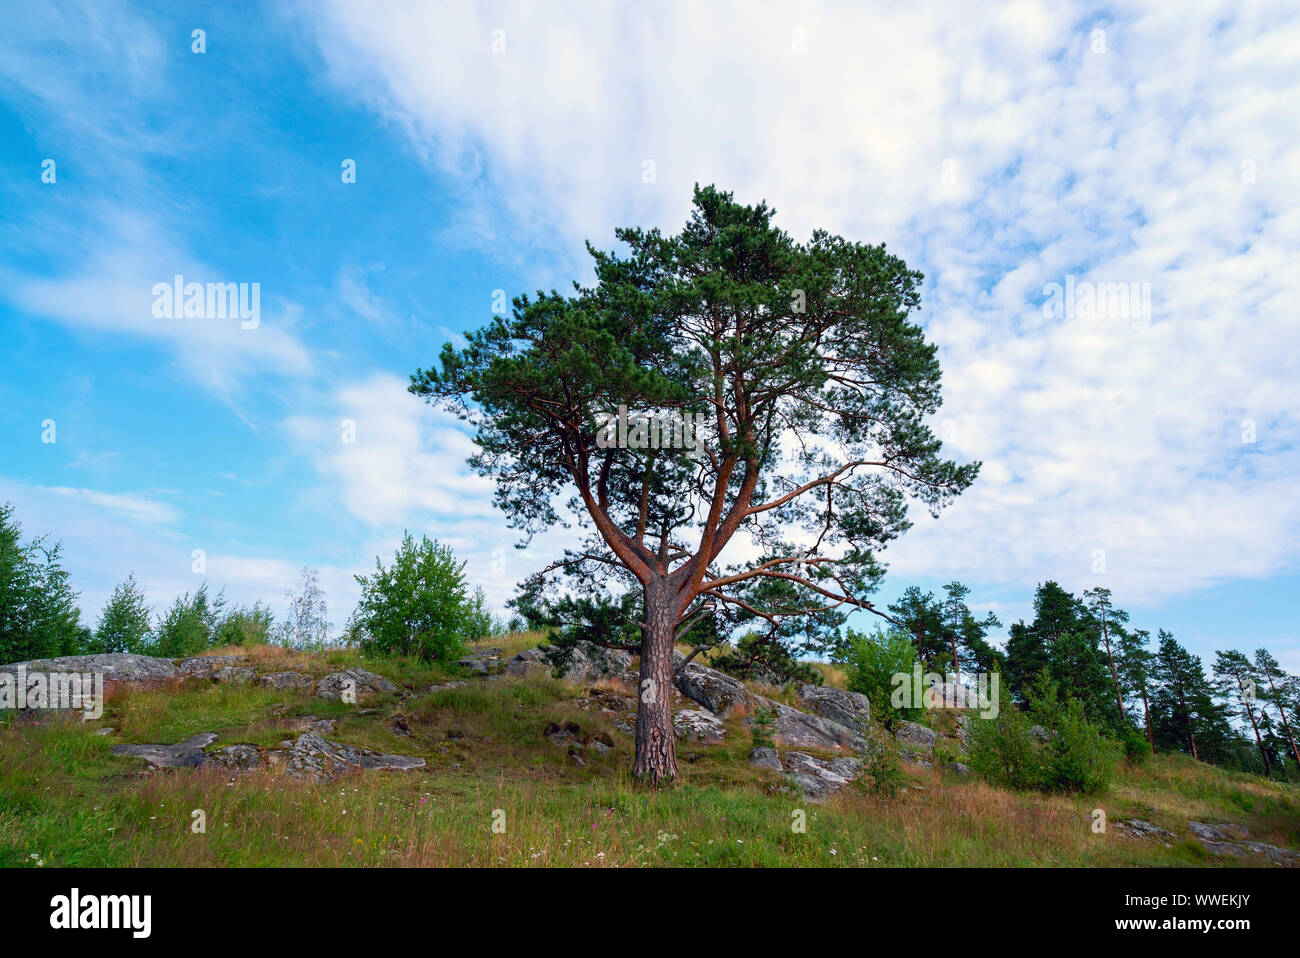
(1155, 695)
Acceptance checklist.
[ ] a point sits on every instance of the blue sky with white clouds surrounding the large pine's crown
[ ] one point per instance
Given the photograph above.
(999, 151)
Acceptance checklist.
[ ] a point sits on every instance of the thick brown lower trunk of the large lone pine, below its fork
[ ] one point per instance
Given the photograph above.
(657, 745)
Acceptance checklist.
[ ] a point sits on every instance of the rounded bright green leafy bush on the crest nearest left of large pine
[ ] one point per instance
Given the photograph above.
(418, 606)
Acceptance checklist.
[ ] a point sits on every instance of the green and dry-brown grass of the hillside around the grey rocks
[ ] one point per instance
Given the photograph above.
(66, 800)
